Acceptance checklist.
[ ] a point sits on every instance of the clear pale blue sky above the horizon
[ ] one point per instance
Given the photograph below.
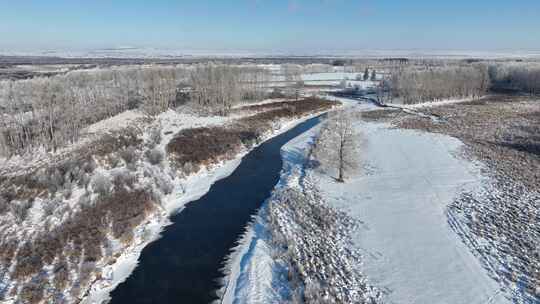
(278, 25)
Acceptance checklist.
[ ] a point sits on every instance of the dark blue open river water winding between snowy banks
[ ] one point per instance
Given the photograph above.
(184, 265)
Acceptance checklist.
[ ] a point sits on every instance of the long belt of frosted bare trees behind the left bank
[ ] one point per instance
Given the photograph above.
(51, 112)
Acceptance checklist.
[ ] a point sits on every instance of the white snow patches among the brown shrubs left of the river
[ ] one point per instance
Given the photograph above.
(176, 192)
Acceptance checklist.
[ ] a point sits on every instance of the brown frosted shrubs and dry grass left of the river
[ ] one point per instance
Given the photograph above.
(113, 205)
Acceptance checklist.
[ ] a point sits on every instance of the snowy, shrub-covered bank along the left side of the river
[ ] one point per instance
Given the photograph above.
(106, 200)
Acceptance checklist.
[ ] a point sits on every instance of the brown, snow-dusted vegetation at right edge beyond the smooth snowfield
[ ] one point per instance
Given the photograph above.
(502, 132)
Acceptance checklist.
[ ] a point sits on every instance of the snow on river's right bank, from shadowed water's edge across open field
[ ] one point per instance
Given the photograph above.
(407, 249)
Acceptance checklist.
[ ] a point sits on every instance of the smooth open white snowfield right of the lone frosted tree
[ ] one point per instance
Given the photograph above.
(410, 252)
